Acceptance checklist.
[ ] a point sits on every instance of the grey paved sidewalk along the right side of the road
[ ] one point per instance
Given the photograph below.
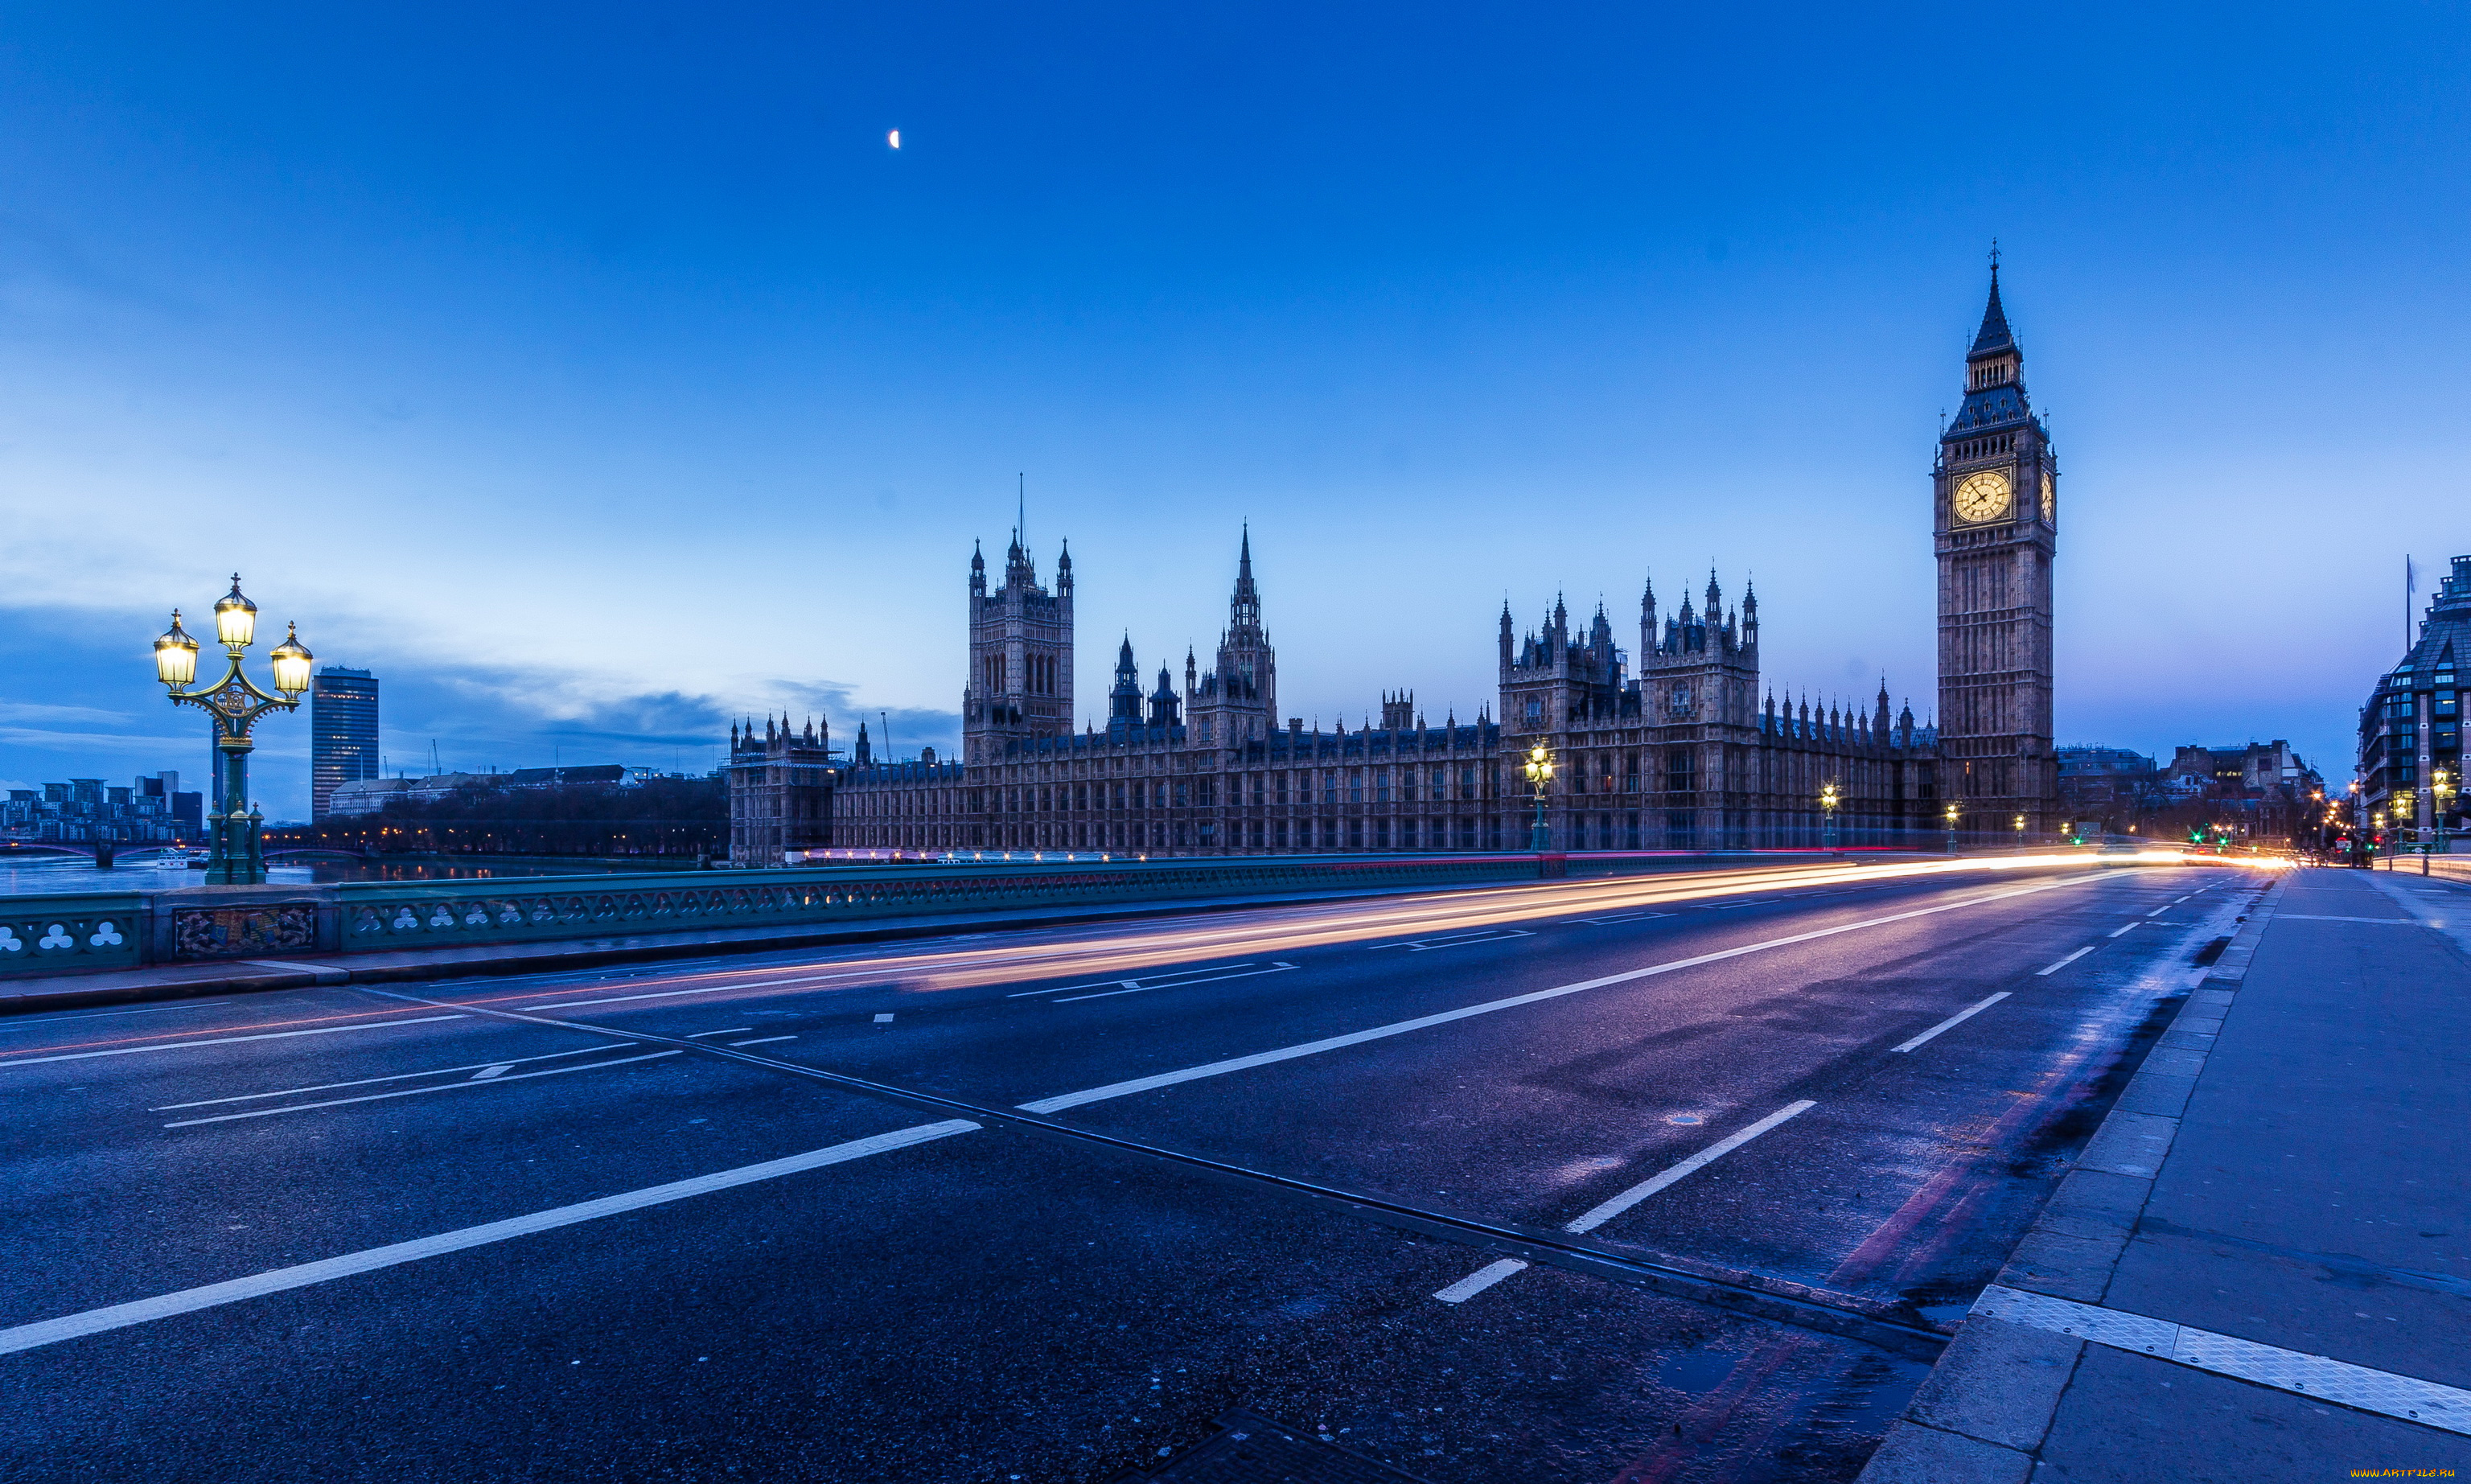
(2262, 1263)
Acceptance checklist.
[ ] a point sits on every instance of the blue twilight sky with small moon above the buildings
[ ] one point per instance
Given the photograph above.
(602, 374)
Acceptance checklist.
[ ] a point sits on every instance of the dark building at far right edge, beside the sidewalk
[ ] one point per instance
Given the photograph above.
(2410, 727)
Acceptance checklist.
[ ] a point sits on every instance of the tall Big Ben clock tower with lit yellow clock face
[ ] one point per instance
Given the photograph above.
(1995, 527)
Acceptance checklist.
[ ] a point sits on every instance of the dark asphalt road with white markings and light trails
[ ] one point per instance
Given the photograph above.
(1042, 1206)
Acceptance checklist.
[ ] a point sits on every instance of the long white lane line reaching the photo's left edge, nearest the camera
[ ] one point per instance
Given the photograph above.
(70, 1327)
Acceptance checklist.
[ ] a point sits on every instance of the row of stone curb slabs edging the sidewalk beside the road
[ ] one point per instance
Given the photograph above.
(1983, 1414)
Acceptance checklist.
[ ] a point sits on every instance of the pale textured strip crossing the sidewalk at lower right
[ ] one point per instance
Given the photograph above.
(2270, 1367)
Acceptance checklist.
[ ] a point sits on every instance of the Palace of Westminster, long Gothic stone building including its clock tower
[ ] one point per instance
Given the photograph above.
(1682, 754)
